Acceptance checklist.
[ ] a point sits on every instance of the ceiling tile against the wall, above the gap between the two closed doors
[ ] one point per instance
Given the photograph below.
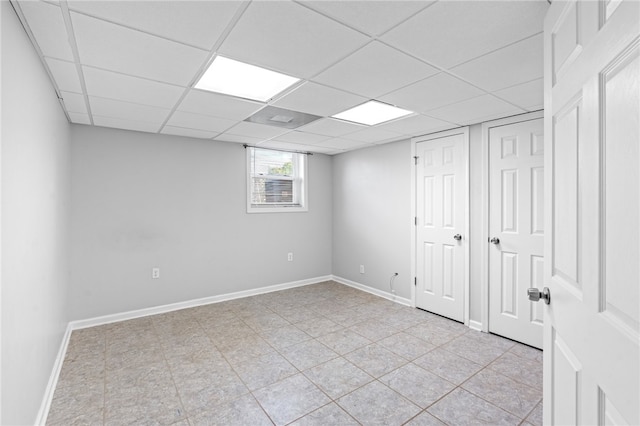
(475, 110)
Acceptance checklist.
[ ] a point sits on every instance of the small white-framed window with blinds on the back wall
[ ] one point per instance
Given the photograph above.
(276, 181)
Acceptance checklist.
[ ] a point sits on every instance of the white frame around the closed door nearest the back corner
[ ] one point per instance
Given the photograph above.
(464, 131)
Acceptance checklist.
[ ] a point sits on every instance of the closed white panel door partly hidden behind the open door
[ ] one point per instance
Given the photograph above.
(516, 225)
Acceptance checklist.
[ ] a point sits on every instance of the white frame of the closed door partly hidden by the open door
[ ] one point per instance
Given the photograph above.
(484, 235)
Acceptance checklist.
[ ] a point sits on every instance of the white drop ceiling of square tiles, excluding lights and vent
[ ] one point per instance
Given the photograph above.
(133, 64)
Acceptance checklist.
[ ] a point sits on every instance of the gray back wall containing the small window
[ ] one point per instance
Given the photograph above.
(143, 200)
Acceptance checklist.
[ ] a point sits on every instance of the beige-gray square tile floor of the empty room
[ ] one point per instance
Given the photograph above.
(323, 354)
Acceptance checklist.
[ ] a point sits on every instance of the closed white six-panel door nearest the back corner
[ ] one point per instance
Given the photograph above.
(440, 222)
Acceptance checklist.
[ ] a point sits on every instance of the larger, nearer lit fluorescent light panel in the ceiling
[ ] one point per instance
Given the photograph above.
(235, 78)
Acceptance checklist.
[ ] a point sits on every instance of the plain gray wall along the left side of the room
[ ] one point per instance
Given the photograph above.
(35, 224)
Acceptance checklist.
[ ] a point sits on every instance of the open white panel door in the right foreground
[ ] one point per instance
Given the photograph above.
(592, 252)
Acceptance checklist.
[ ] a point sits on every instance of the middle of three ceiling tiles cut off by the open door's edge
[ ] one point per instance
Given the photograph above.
(515, 64)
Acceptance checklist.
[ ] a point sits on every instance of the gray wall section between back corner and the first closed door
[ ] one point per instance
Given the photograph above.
(372, 216)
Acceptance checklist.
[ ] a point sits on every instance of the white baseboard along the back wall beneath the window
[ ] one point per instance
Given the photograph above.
(139, 313)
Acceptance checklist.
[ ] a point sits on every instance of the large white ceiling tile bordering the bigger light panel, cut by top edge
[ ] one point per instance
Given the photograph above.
(289, 38)
